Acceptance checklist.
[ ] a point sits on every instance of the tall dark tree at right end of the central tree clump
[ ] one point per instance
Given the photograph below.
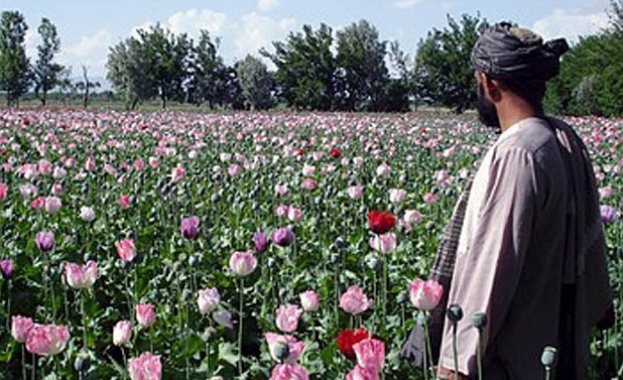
(362, 74)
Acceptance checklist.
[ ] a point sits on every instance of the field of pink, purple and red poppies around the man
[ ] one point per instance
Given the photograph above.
(179, 245)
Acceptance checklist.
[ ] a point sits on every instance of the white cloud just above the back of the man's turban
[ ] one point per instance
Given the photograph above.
(570, 24)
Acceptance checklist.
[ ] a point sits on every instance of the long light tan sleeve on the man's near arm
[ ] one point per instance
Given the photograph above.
(490, 266)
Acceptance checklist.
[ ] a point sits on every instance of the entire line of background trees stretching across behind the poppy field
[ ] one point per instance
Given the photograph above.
(316, 69)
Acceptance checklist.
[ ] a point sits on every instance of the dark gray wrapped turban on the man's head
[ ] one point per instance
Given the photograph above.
(507, 52)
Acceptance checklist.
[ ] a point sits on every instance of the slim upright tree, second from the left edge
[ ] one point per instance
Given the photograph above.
(46, 72)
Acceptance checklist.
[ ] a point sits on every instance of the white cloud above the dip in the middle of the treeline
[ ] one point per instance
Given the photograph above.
(257, 31)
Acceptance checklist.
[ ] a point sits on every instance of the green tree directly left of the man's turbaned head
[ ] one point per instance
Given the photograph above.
(443, 71)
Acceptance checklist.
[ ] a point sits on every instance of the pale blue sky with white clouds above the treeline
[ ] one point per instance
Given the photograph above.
(87, 28)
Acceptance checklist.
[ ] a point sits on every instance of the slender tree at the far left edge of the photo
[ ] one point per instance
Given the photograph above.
(15, 72)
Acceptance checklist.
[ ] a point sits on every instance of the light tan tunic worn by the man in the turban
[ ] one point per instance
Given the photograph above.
(510, 256)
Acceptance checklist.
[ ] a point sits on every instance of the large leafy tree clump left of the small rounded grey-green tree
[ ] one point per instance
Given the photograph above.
(161, 64)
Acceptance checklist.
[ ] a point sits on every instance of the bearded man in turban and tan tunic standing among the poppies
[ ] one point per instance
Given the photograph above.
(530, 253)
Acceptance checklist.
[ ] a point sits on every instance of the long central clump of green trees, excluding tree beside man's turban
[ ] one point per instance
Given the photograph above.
(158, 63)
